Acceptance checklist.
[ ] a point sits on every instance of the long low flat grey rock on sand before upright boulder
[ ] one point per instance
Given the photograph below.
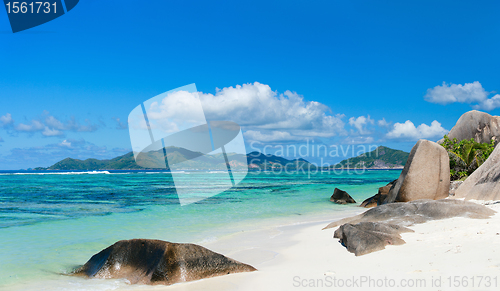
(420, 211)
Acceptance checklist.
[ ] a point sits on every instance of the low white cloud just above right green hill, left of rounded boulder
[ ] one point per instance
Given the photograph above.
(408, 130)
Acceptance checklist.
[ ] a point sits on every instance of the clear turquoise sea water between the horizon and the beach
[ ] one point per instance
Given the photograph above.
(53, 222)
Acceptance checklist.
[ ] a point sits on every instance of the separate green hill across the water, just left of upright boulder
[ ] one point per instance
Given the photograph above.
(380, 158)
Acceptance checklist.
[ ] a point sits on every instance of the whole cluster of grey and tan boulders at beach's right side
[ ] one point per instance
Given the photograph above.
(423, 190)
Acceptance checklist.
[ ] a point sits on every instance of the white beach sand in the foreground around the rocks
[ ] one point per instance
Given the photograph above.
(450, 254)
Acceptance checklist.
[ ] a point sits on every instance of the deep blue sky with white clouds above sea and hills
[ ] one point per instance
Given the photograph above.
(346, 73)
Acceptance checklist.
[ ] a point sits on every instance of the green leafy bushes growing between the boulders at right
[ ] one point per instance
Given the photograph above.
(466, 156)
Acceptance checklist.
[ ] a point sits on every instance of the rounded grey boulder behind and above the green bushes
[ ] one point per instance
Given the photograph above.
(478, 125)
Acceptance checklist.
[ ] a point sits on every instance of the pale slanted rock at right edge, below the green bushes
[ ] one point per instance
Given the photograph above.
(484, 183)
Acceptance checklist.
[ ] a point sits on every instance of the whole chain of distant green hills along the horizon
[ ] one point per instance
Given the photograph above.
(380, 158)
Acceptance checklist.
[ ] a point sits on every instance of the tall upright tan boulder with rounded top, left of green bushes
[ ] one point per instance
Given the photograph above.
(426, 174)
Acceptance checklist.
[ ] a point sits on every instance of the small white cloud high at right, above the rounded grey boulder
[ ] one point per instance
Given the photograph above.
(446, 94)
